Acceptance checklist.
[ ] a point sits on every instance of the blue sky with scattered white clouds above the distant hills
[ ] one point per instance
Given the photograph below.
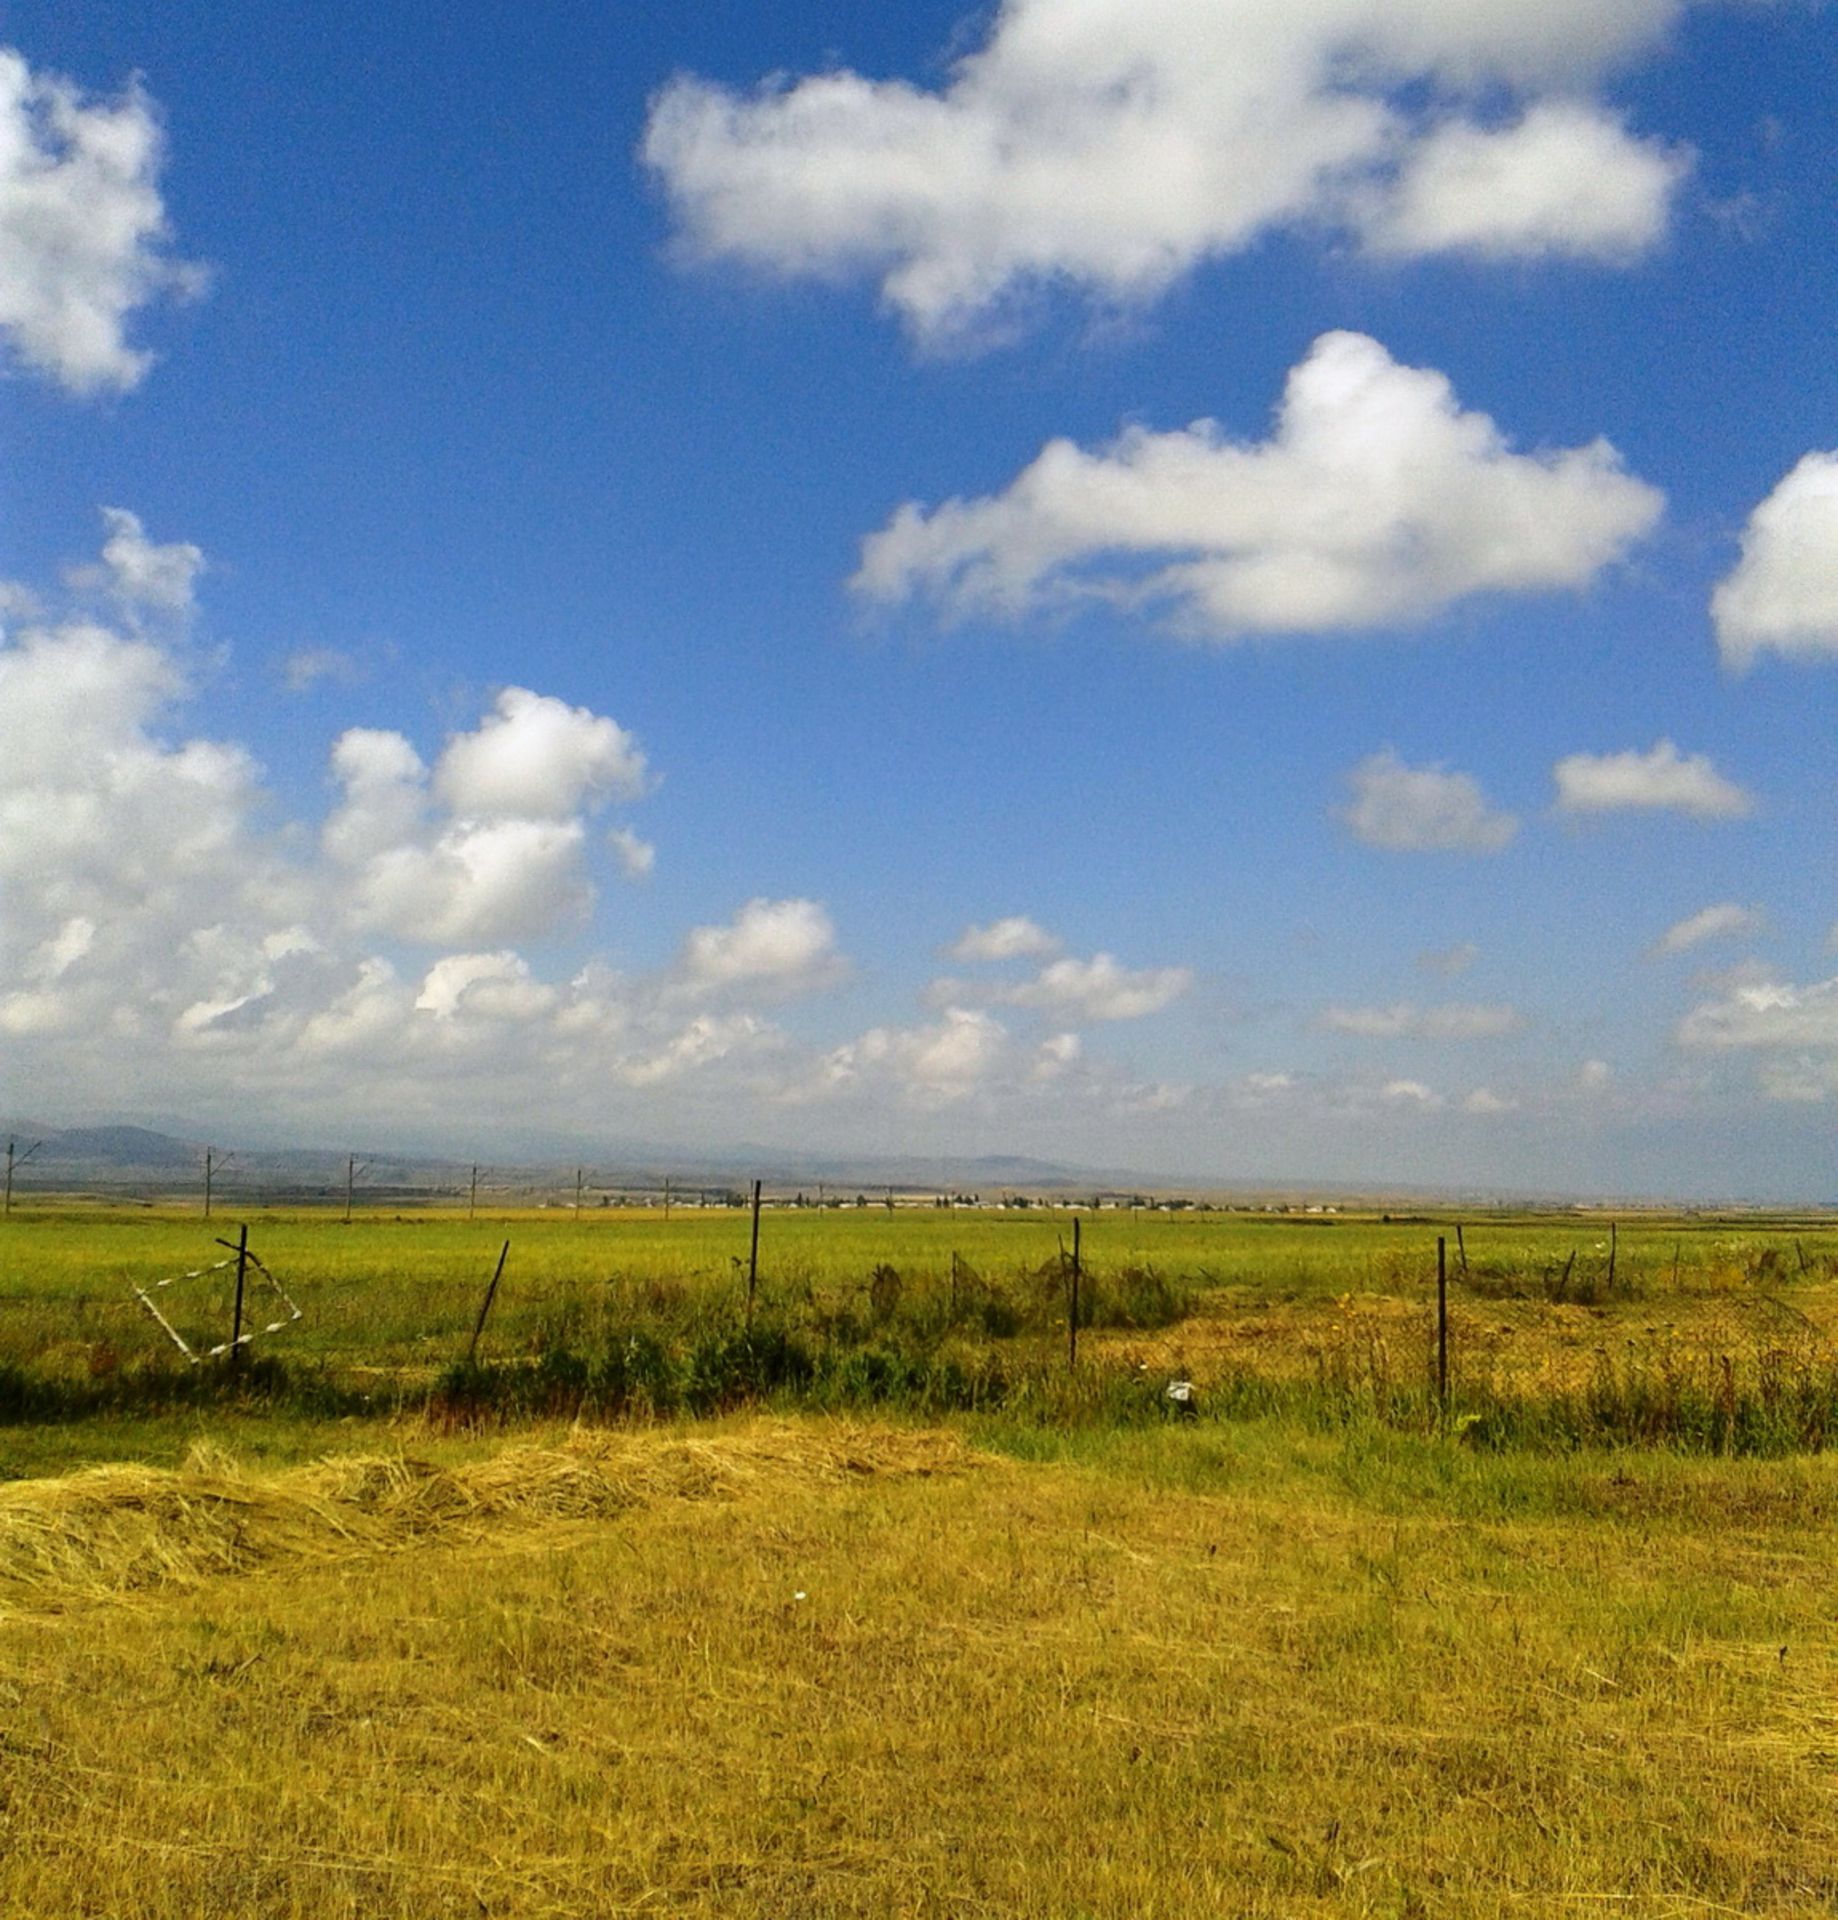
(523, 429)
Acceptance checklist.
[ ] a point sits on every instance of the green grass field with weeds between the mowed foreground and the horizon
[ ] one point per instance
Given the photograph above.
(1716, 1332)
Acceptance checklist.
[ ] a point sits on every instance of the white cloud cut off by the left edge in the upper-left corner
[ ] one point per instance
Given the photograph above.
(82, 228)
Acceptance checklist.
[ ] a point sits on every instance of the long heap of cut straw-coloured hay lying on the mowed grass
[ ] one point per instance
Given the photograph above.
(114, 1531)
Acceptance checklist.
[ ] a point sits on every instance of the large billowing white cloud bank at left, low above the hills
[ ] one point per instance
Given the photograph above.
(155, 913)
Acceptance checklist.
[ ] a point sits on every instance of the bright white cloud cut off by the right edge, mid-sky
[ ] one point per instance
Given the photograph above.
(1783, 594)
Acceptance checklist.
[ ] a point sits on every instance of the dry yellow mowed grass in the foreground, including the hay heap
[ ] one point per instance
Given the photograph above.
(790, 1669)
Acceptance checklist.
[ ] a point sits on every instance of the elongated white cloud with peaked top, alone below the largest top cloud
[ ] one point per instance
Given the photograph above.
(1376, 502)
